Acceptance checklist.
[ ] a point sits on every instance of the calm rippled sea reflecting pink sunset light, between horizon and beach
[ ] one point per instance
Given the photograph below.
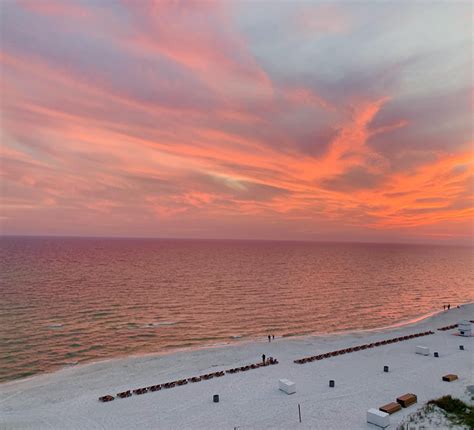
(66, 301)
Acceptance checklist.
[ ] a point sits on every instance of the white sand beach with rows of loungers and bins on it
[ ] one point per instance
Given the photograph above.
(68, 399)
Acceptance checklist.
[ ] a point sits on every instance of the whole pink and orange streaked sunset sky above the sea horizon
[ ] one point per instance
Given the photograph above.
(266, 120)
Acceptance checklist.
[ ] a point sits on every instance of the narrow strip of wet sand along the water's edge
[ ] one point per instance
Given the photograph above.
(239, 342)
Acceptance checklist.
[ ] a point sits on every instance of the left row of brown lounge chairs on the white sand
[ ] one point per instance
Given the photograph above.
(166, 385)
